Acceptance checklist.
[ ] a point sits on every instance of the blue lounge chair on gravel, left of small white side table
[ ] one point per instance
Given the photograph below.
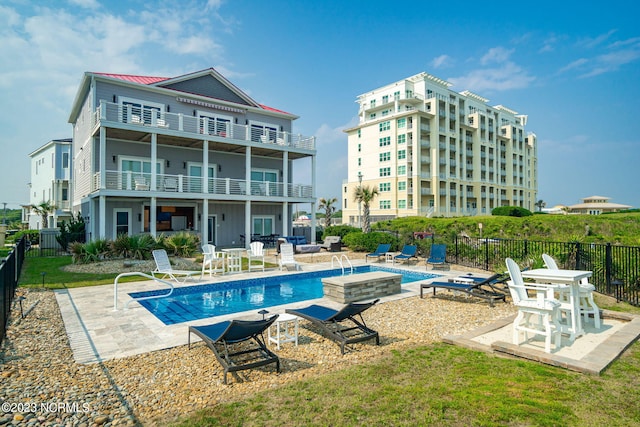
(223, 339)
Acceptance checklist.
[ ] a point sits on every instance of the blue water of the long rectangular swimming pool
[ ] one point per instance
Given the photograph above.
(202, 301)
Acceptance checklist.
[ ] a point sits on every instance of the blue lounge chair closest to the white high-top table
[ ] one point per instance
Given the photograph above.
(474, 286)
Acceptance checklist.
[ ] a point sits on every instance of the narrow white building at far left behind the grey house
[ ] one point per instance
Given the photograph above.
(51, 174)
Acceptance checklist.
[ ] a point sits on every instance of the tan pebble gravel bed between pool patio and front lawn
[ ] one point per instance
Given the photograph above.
(43, 385)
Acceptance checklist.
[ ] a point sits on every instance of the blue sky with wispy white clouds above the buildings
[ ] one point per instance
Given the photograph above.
(572, 67)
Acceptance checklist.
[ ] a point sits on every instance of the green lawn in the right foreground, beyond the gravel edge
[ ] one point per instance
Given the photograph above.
(443, 385)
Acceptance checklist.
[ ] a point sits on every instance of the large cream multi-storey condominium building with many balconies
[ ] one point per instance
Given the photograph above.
(431, 151)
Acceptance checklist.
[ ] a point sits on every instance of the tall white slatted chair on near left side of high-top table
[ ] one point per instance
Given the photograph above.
(539, 315)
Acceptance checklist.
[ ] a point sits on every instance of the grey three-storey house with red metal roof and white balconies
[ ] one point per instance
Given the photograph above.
(193, 152)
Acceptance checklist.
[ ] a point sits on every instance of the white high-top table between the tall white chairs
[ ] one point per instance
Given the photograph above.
(565, 277)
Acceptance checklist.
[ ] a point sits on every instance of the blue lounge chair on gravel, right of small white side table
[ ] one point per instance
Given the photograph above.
(330, 321)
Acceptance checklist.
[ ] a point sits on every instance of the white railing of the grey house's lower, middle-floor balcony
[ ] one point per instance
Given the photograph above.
(137, 181)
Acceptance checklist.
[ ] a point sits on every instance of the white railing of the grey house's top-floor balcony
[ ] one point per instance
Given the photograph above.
(162, 121)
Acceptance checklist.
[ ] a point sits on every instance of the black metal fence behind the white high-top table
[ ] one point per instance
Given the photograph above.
(616, 269)
